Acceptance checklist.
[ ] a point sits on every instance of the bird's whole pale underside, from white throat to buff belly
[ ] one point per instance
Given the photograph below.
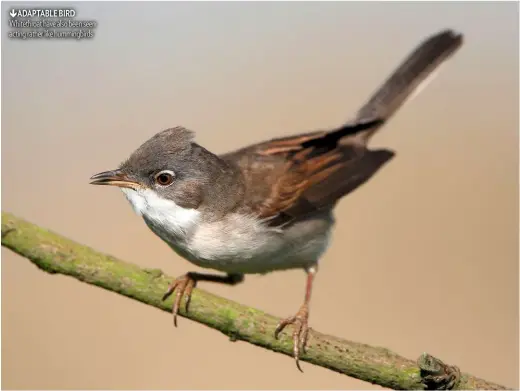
(237, 243)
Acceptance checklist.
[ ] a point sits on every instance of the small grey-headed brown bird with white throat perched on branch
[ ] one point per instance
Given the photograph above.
(268, 206)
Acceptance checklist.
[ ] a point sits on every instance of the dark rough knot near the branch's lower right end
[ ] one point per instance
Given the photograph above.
(437, 375)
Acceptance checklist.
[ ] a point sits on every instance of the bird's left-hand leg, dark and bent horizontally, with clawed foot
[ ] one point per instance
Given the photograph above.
(185, 284)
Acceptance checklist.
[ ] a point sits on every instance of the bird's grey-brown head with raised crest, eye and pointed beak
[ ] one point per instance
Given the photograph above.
(169, 165)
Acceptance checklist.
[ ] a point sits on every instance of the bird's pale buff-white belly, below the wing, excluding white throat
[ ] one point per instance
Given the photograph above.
(243, 245)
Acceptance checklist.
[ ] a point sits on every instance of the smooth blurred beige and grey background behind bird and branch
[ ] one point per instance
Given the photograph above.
(440, 221)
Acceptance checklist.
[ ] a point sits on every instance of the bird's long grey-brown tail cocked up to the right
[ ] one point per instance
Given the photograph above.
(408, 80)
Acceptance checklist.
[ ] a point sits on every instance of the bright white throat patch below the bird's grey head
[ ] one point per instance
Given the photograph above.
(167, 219)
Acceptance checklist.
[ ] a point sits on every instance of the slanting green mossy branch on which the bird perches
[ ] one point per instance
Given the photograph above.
(56, 254)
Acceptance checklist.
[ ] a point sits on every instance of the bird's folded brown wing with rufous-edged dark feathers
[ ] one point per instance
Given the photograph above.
(317, 171)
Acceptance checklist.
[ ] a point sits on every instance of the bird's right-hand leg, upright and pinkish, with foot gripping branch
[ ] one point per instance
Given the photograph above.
(300, 320)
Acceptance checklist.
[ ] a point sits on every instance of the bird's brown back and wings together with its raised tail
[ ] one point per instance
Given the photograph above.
(294, 176)
